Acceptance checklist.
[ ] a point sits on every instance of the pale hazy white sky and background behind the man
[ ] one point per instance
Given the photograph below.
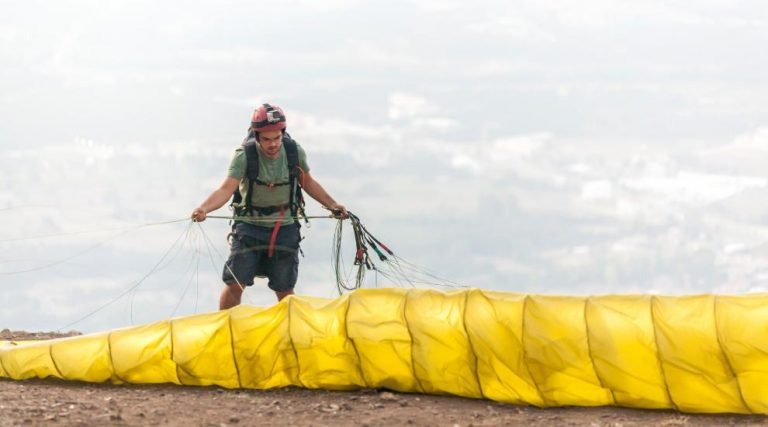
(534, 146)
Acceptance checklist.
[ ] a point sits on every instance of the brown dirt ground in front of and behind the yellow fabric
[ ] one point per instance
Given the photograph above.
(55, 402)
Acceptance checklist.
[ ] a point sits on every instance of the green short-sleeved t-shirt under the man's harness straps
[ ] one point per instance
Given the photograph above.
(270, 171)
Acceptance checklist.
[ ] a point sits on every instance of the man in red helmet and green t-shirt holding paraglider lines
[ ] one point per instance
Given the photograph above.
(268, 244)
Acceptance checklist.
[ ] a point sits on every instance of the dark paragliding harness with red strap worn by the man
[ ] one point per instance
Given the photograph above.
(241, 205)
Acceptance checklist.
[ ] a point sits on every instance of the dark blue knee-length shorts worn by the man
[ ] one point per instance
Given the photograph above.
(249, 256)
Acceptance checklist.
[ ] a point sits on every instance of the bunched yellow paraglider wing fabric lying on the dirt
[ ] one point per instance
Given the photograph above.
(700, 353)
